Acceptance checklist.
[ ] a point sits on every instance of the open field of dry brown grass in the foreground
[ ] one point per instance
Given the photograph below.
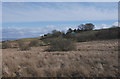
(91, 59)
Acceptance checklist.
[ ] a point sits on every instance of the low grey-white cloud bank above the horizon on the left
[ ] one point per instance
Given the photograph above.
(14, 32)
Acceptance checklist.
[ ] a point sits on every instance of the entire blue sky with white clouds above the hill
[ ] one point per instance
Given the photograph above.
(32, 19)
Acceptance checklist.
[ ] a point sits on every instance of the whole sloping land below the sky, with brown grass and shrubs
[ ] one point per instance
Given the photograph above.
(96, 55)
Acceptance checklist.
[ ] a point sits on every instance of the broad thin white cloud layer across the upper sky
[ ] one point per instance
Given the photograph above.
(60, 12)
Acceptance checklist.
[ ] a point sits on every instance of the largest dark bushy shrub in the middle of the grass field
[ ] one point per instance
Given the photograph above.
(60, 44)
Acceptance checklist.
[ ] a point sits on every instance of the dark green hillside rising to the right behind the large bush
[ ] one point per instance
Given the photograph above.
(89, 35)
